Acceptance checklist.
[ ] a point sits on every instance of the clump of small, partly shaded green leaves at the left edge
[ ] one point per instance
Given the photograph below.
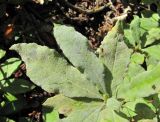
(12, 88)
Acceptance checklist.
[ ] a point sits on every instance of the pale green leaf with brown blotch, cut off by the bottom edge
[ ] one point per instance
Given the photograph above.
(85, 110)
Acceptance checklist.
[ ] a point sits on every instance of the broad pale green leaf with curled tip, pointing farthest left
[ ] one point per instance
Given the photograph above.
(46, 68)
